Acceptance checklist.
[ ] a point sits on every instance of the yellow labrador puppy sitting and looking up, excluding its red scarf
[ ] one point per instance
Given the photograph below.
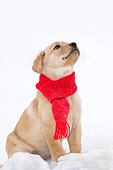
(35, 130)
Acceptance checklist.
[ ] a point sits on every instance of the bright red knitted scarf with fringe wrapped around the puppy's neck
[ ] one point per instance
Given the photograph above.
(56, 92)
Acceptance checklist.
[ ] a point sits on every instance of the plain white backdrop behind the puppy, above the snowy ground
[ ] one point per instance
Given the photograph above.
(27, 26)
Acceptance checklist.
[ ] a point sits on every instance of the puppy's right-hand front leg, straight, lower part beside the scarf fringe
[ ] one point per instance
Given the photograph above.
(75, 137)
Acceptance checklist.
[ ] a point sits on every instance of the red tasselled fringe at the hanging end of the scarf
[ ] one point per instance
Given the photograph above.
(62, 130)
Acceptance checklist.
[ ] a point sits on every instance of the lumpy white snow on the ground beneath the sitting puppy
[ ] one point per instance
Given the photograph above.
(97, 155)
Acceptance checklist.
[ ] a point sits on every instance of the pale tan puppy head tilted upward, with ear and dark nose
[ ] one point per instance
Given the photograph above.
(55, 56)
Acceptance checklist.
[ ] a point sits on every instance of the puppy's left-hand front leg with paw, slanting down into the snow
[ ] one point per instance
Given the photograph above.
(55, 146)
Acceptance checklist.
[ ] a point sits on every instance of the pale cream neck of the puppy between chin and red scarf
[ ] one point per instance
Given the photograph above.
(57, 73)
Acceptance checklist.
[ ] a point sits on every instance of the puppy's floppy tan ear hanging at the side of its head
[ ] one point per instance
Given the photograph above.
(37, 64)
